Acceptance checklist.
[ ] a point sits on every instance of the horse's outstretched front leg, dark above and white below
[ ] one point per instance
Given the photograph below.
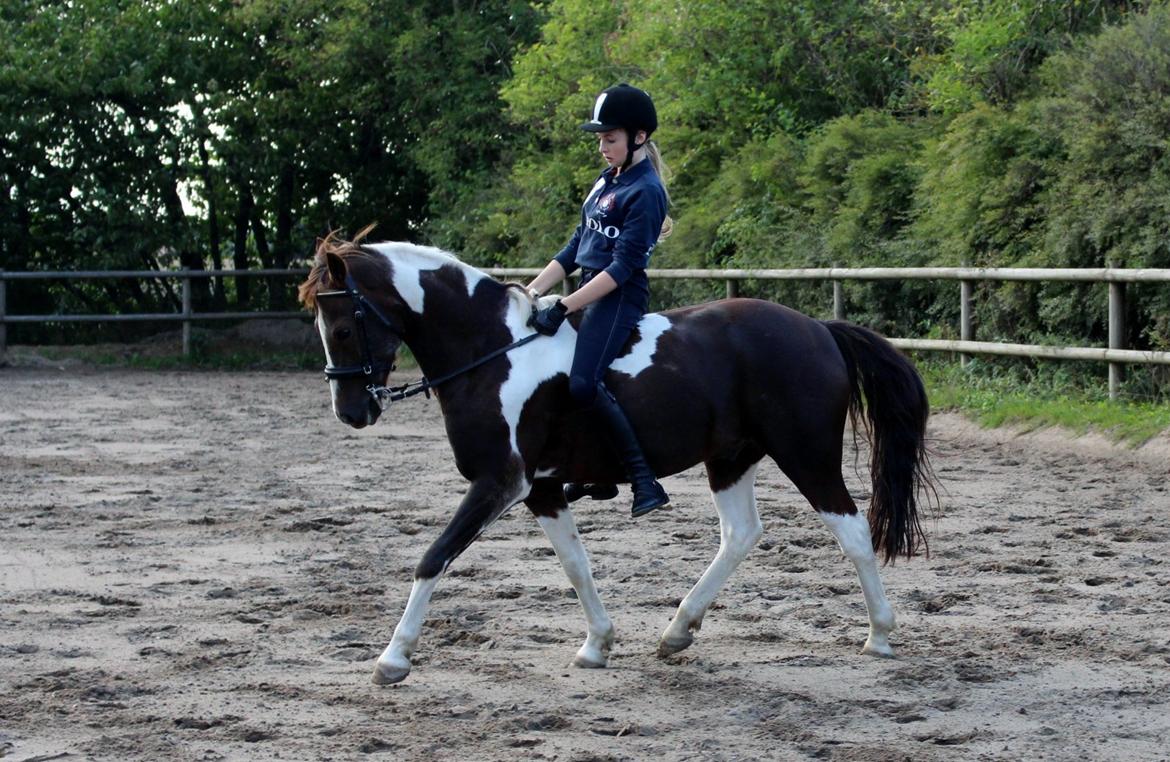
(485, 502)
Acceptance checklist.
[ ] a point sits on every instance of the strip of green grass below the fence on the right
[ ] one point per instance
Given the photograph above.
(996, 396)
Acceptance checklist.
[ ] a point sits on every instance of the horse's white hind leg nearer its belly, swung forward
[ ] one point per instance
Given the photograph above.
(733, 490)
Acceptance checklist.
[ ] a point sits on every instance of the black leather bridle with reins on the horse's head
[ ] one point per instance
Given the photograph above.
(370, 368)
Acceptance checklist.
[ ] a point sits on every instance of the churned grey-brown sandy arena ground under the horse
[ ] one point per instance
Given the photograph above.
(205, 567)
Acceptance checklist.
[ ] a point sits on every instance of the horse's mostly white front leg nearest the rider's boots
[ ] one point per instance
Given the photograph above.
(547, 502)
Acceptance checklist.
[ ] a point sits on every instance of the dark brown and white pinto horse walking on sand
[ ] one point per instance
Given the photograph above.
(725, 385)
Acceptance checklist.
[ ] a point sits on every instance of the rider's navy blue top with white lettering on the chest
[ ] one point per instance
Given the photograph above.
(622, 221)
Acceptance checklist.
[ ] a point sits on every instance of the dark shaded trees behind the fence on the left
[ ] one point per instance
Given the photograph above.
(149, 136)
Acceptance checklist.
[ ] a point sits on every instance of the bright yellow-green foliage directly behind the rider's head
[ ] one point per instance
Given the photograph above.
(728, 78)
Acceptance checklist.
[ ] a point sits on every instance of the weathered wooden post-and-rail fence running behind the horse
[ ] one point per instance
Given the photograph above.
(1117, 279)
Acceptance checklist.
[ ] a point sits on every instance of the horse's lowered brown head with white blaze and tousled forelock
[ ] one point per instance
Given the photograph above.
(360, 322)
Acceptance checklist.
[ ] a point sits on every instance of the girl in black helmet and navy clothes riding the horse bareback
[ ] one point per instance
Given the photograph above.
(622, 221)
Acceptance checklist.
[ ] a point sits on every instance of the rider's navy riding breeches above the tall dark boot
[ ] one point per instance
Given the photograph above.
(603, 334)
